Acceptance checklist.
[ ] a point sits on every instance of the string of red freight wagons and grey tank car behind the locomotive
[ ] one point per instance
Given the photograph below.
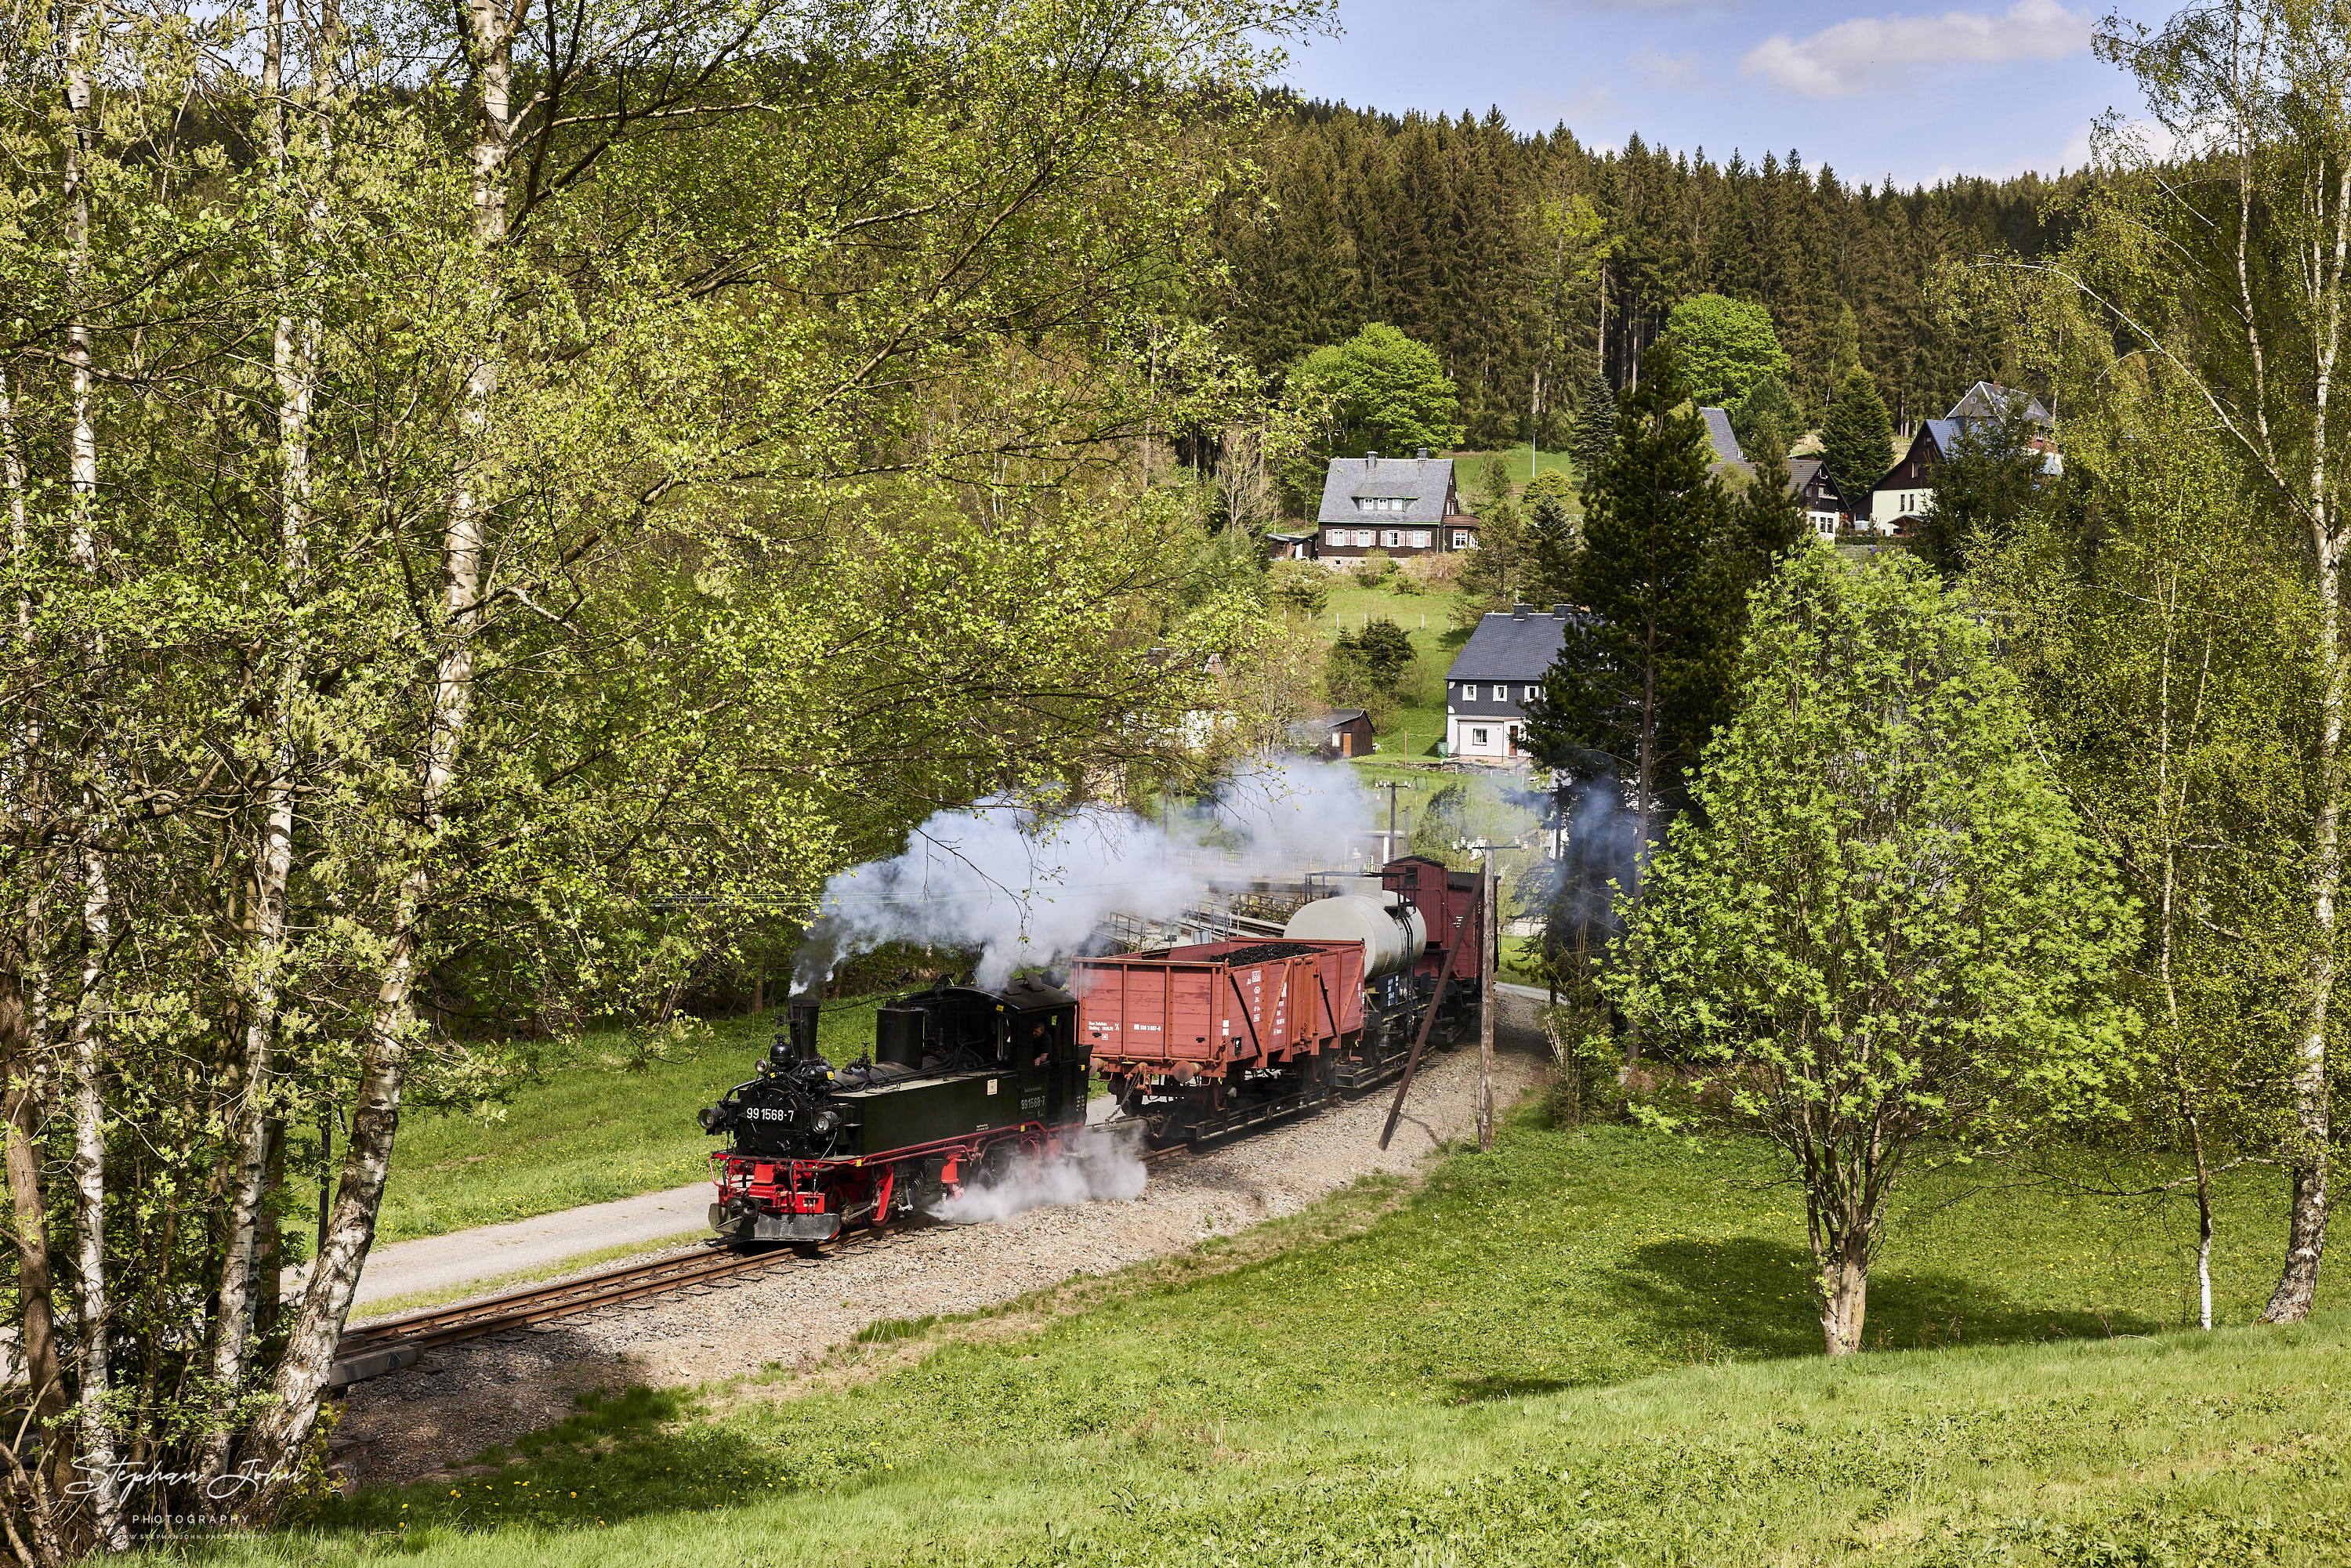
(1214, 1038)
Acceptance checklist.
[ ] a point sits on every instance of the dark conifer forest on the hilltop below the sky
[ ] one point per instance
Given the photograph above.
(1532, 262)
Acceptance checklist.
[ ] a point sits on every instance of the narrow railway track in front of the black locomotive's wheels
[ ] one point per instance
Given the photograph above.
(391, 1343)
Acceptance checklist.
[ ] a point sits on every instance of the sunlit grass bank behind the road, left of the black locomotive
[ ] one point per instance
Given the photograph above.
(591, 1130)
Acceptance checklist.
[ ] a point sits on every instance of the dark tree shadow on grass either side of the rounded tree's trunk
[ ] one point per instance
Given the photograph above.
(1743, 1296)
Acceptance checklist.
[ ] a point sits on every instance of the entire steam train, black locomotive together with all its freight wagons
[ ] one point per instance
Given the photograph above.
(967, 1085)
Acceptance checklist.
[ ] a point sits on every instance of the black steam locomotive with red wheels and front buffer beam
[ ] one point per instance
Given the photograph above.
(960, 1085)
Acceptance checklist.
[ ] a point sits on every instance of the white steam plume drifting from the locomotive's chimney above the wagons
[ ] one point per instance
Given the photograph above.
(1031, 887)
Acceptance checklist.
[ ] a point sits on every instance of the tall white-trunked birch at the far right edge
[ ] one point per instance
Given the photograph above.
(2235, 274)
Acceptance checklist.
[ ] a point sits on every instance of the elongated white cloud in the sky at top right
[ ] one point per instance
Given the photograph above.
(1884, 51)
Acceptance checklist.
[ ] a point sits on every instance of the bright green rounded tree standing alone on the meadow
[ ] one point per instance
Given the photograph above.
(1884, 937)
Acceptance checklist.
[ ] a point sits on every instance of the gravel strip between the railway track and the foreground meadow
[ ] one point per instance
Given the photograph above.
(467, 1398)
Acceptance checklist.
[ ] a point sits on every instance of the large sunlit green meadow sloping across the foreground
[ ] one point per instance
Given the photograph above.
(1579, 1351)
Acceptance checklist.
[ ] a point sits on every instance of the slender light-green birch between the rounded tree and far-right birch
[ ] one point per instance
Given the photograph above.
(2164, 659)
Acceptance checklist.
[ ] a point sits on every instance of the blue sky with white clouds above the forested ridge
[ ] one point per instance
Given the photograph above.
(1873, 91)
